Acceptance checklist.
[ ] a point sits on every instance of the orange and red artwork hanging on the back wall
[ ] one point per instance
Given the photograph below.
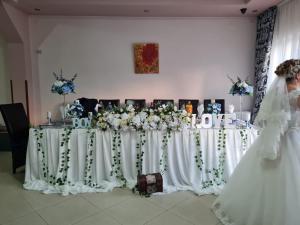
(146, 58)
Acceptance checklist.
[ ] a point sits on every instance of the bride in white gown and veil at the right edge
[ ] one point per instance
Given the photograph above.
(265, 187)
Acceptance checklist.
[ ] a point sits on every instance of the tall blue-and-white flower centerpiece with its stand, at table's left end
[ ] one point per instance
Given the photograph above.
(63, 86)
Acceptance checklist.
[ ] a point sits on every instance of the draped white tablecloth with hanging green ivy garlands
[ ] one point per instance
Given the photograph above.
(81, 160)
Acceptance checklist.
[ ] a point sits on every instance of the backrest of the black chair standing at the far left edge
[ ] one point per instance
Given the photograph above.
(16, 122)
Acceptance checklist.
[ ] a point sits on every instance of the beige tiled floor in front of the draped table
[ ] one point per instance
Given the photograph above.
(21, 207)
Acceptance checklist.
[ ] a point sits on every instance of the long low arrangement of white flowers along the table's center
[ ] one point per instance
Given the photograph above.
(162, 118)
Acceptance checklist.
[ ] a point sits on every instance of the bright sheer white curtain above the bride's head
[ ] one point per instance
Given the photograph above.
(286, 38)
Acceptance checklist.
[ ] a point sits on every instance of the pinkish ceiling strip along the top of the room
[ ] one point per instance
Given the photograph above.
(144, 8)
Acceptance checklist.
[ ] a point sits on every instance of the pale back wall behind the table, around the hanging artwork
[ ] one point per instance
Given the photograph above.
(195, 56)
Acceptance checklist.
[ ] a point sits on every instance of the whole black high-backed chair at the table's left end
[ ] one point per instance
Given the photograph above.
(17, 126)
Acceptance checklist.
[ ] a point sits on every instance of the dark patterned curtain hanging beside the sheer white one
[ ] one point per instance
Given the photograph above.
(264, 37)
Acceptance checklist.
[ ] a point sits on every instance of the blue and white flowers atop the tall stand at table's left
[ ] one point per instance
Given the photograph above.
(63, 86)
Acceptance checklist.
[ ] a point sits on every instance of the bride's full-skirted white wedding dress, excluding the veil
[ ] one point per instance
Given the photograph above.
(263, 191)
